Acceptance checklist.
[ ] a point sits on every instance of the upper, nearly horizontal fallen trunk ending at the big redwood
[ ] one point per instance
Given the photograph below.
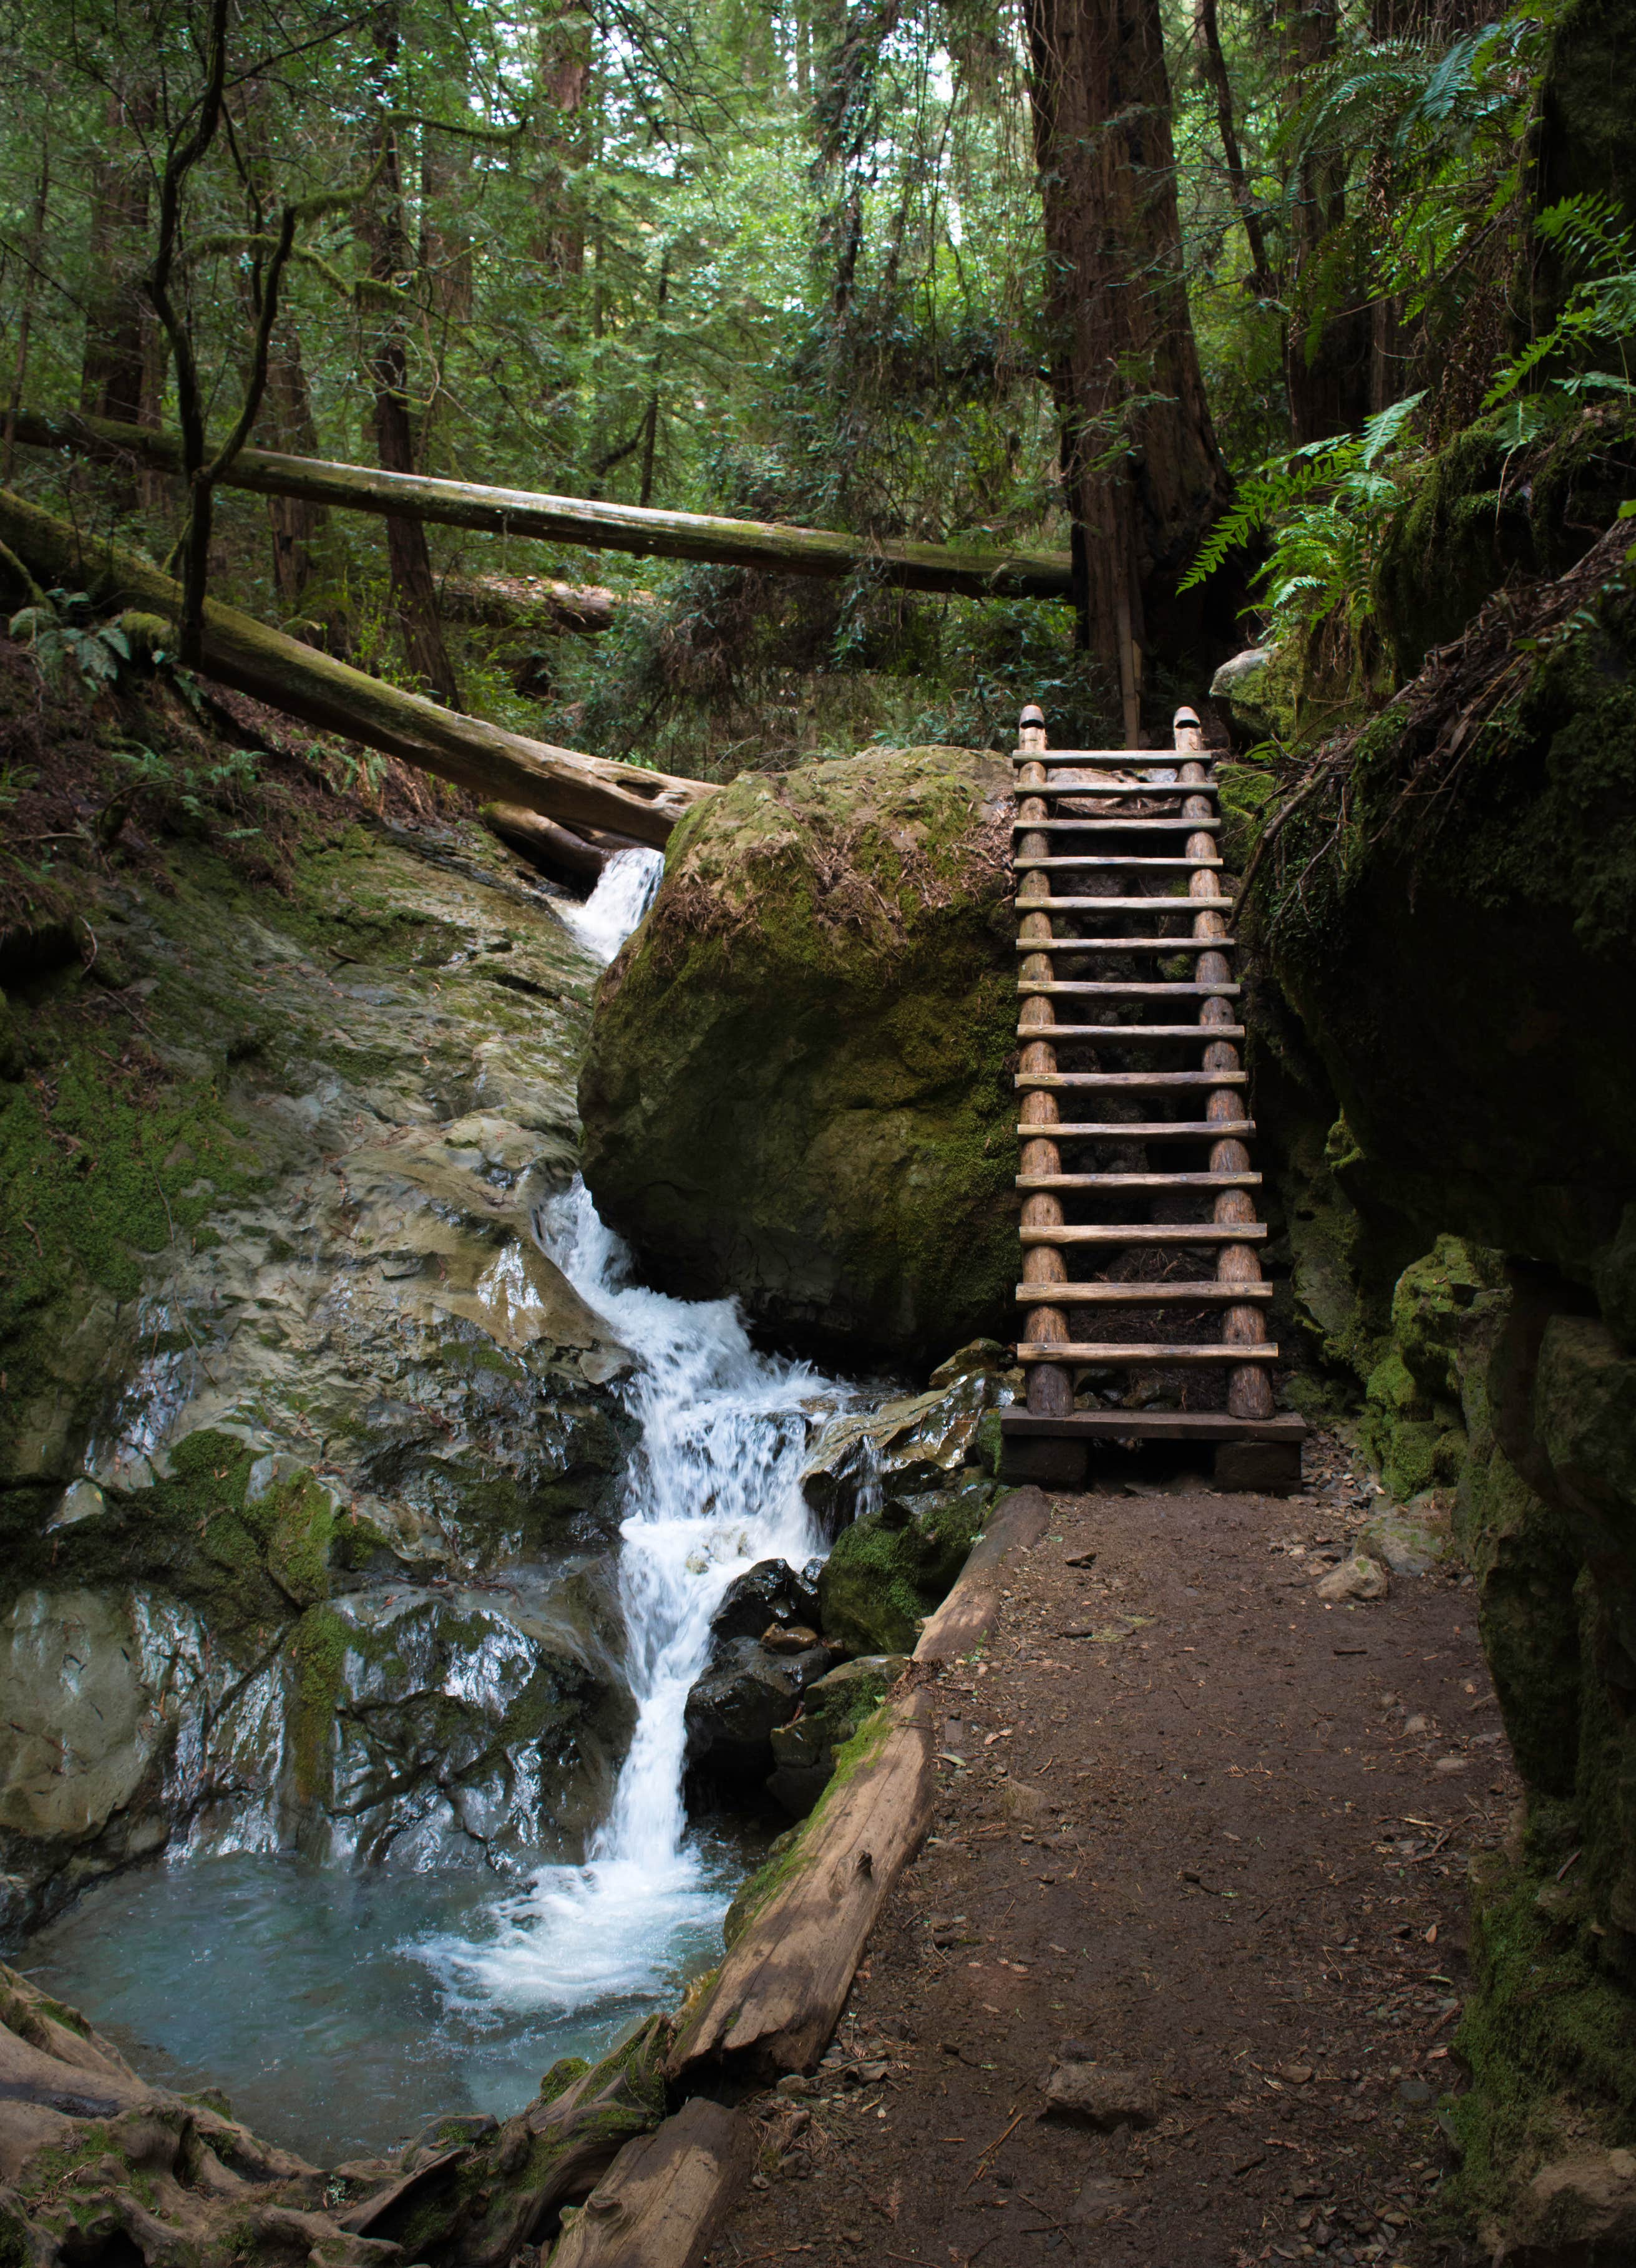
(575, 521)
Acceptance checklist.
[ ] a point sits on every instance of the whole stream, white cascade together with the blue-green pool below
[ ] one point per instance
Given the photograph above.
(341, 2011)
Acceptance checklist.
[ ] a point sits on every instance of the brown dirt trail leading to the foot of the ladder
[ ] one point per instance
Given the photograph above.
(1204, 1831)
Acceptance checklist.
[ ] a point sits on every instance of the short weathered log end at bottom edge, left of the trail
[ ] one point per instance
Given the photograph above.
(666, 2194)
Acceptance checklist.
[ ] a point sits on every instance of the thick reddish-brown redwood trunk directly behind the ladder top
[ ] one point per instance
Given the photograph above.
(1142, 468)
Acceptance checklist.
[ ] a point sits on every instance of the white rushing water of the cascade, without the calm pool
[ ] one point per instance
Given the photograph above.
(714, 1489)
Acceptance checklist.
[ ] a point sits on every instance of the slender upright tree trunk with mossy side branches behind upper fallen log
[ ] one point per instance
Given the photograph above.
(391, 260)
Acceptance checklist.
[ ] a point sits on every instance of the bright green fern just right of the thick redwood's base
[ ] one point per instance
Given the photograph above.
(1326, 511)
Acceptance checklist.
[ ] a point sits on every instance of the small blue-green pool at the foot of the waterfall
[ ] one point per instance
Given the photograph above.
(323, 2002)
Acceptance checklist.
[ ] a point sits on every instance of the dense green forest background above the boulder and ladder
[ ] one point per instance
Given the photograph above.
(1059, 273)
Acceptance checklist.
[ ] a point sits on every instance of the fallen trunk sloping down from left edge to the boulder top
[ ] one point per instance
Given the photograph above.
(239, 652)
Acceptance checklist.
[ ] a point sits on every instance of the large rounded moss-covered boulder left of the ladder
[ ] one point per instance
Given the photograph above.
(800, 1072)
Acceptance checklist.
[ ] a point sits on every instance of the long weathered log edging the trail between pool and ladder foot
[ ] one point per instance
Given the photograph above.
(786, 1979)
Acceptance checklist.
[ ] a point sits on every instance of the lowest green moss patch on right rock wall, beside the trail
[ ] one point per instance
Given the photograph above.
(1549, 2038)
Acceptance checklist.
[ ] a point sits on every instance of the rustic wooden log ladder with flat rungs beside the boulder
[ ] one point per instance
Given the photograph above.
(1104, 845)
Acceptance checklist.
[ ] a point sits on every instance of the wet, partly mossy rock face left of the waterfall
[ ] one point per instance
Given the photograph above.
(264, 1439)
